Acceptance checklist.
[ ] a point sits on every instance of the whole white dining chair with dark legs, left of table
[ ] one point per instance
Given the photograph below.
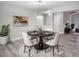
(27, 42)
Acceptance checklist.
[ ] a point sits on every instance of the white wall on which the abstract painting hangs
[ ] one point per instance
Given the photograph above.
(7, 13)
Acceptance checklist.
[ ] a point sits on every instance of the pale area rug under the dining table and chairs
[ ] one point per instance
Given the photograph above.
(41, 53)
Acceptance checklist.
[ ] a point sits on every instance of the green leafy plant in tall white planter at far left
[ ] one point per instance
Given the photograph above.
(4, 34)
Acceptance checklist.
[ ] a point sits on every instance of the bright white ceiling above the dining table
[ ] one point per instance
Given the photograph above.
(35, 5)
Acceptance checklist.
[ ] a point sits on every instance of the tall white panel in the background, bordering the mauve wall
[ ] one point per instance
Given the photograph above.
(58, 22)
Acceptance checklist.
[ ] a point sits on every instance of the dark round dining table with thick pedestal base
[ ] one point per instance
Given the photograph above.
(40, 34)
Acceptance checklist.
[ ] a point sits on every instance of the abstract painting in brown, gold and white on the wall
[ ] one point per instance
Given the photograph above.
(20, 21)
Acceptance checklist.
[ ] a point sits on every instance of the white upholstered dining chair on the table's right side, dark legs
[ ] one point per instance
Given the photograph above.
(54, 42)
